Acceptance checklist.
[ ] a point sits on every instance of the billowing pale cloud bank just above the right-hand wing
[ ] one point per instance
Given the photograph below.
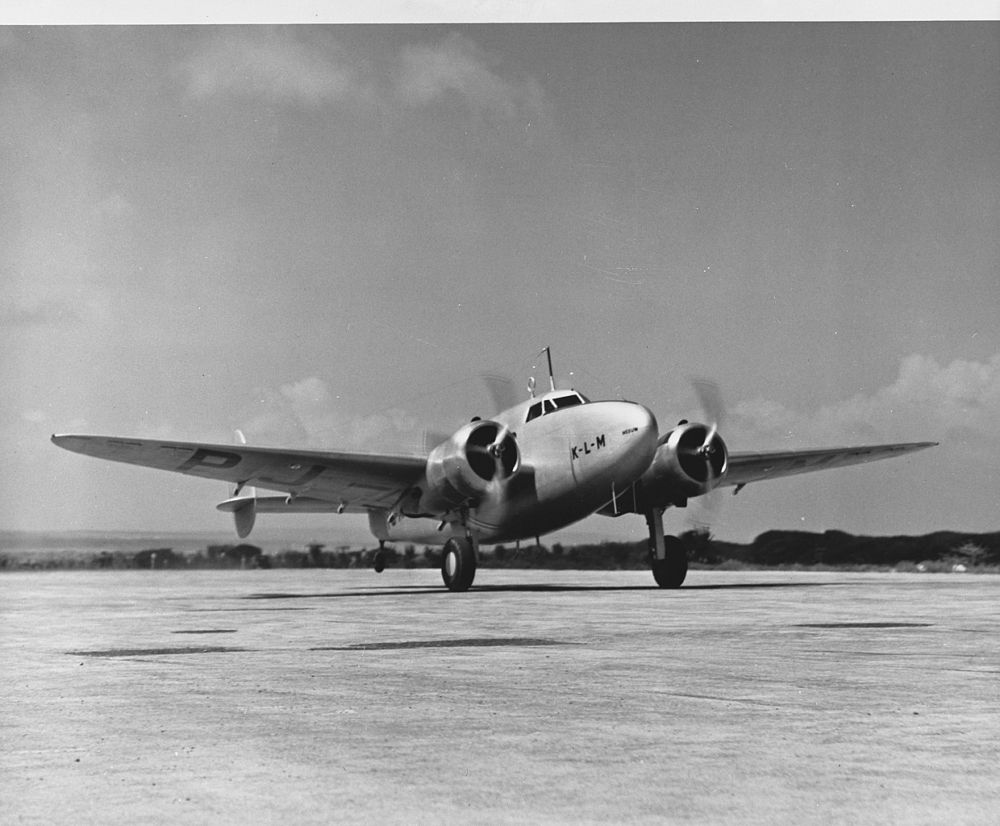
(958, 402)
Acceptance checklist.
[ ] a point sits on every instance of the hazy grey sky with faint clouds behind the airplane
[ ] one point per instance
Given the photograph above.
(325, 235)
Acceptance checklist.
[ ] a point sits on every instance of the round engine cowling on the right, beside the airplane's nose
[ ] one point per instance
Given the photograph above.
(690, 461)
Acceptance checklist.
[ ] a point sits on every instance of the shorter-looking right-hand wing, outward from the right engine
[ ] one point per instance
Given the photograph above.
(754, 467)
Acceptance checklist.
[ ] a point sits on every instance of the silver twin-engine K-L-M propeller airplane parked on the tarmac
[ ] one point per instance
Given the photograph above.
(531, 469)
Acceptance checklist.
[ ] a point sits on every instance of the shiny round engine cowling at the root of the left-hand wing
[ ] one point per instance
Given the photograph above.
(464, 467)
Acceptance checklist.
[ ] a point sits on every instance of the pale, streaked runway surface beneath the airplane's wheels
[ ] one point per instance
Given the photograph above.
(322, 696)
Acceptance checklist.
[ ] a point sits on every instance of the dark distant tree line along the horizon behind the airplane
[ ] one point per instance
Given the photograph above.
(945, 550)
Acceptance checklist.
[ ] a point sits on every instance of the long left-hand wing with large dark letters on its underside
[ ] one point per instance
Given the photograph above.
(353, 480)
